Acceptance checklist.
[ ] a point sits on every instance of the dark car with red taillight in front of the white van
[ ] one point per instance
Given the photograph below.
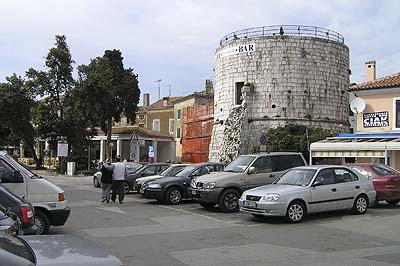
(23, 209)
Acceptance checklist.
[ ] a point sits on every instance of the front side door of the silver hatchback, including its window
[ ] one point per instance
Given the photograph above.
(324, 193)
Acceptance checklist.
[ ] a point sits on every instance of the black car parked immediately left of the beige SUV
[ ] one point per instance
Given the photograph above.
(173, 189)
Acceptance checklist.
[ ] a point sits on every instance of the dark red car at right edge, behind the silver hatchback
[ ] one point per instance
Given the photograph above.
(386, 180)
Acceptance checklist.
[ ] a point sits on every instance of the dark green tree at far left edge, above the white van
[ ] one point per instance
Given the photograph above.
(16, 103)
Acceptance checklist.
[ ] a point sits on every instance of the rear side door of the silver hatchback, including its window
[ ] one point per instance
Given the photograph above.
(348, 187)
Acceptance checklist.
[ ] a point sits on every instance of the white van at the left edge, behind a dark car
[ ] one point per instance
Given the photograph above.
(49, 200)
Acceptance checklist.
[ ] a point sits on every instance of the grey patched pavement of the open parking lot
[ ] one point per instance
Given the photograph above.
(143, 232)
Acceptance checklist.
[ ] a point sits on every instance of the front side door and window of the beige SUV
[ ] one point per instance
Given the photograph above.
(261, 176)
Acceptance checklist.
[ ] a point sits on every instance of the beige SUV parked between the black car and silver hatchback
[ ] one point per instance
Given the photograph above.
(245, 172)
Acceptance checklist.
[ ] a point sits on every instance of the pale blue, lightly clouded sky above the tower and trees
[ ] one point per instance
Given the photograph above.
(175, 40)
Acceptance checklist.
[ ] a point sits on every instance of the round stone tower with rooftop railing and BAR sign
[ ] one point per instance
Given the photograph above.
(271, 76)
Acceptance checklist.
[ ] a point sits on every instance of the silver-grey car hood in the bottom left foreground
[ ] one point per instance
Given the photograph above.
(62, 250)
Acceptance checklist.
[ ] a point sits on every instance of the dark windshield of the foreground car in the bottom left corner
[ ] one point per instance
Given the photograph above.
(16, 246)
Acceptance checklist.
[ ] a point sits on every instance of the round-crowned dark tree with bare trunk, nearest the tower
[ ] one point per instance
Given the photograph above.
(105, 90)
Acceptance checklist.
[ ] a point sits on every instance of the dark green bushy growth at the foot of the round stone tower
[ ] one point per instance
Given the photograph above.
(294, 138)
